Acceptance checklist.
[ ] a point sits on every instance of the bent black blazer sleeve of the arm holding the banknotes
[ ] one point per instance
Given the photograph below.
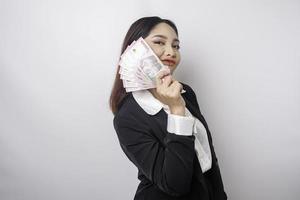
(168, 164)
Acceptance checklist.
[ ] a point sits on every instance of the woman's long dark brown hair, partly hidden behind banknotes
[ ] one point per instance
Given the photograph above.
(140, 28)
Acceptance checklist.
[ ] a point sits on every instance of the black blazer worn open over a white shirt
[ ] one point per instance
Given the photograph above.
(167, 164)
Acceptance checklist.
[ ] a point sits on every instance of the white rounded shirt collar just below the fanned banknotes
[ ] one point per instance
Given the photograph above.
(148, 102)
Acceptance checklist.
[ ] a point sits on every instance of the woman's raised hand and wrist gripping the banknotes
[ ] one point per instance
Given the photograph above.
(168, 91)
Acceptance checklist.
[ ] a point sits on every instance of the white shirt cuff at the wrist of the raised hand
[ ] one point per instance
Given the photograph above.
(180, 125)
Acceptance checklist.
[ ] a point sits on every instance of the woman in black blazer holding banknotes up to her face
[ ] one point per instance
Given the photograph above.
(162, 130)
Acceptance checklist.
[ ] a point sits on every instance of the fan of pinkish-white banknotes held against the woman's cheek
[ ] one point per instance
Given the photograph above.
(139, 66)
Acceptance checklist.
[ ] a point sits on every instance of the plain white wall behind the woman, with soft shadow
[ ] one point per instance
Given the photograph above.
(57, 64)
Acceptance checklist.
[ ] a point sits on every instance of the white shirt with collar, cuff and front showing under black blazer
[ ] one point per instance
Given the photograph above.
(181, 125)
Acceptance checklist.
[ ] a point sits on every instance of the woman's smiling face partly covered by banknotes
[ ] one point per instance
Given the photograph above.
(164, 42)
